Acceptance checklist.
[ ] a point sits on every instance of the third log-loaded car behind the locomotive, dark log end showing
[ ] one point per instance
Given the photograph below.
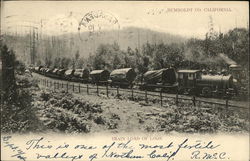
(99, 76)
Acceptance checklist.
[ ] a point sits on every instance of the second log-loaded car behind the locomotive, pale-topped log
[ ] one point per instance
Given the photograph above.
(122, 77)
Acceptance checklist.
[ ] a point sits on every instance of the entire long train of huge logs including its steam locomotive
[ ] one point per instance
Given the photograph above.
(192, 82)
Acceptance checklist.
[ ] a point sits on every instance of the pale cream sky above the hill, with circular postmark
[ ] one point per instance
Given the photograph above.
(188, 19)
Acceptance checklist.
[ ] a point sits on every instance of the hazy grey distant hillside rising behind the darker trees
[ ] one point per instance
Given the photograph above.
(68, 44)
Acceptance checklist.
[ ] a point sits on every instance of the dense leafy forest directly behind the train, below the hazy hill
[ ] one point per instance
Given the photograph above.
(212, 53)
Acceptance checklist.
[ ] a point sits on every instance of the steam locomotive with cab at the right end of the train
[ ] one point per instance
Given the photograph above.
(195, 83)
